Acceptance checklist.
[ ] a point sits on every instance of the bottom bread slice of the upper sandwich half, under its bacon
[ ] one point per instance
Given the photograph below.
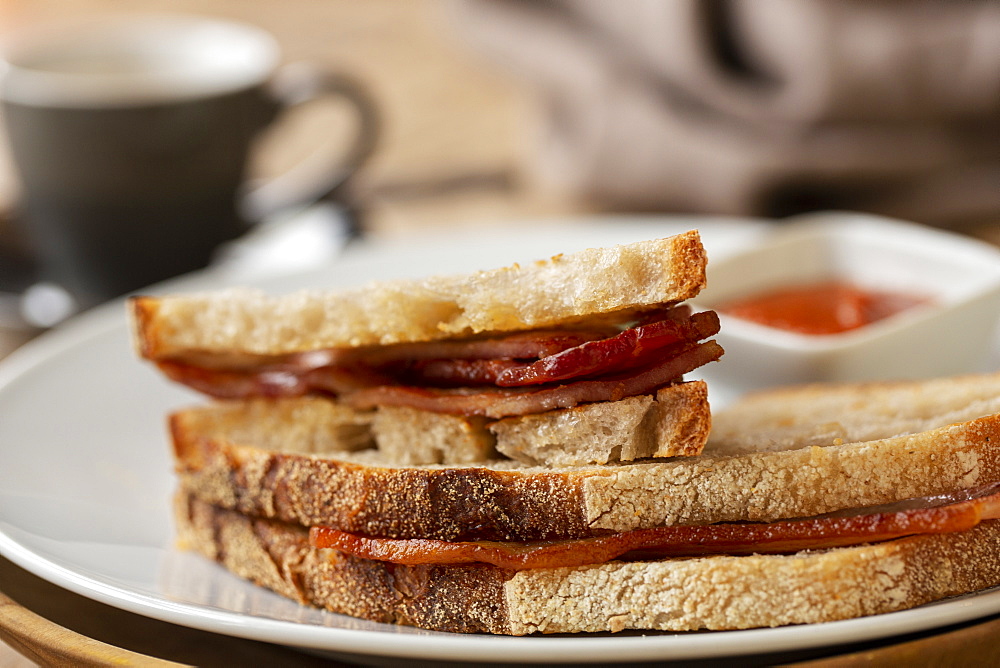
(674, 423)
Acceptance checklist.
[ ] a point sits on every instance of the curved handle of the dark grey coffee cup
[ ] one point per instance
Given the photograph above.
(304, 184)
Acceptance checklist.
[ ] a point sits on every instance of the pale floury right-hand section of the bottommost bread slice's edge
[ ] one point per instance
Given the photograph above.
(753, 591)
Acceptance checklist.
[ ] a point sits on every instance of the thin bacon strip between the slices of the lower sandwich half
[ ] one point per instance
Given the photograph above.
(773, 538)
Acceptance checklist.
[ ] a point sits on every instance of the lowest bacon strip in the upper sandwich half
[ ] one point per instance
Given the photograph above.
(505, 402)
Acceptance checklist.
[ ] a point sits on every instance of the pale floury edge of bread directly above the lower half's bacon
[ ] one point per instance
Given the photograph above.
(795, 483)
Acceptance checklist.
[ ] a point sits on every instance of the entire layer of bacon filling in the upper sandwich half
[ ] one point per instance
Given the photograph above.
(517, 374)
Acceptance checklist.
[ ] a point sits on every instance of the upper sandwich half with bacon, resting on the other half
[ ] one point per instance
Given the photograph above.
(535, 362)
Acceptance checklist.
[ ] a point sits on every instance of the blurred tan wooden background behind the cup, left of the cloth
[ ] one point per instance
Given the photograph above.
(452, 138)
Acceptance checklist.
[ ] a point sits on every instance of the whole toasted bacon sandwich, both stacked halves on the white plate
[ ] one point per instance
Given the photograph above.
(368, 452)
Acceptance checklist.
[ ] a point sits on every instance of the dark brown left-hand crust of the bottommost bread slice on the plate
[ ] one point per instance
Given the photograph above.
(465, 599)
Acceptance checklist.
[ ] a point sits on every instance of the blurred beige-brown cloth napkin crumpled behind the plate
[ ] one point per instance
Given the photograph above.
(760, 107)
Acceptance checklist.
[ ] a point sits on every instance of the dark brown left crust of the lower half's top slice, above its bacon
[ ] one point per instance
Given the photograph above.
(446, 503)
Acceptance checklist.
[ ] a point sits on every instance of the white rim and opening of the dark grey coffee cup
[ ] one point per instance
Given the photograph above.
(244, 56)
